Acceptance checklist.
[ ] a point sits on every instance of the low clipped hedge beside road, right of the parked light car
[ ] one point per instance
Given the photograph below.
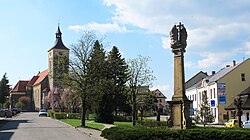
(63, 115)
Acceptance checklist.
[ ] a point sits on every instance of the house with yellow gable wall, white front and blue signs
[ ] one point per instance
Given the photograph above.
(222, 87)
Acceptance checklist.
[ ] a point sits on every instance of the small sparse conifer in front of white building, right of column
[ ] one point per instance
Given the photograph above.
(204, 113)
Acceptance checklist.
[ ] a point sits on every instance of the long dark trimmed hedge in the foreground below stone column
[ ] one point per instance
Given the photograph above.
(163, 133)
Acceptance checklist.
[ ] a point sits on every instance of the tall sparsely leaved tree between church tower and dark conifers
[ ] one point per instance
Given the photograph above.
(77, 70)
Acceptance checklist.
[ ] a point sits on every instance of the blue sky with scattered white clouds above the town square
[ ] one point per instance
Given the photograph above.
(218, 33)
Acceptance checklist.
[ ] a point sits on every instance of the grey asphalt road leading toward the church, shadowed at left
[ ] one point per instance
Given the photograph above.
(28, 126)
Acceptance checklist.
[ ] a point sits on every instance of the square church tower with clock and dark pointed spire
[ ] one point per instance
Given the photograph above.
(58, 61)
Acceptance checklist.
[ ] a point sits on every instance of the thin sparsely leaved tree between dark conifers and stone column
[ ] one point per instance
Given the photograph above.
(140, 74)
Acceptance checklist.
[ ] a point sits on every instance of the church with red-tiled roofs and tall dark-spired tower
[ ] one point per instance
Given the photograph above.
(39, 85)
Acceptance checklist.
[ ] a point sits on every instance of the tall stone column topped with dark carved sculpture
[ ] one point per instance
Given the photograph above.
(180, 105)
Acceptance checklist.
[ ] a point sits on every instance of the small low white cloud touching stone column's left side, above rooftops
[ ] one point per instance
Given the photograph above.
(166, 89)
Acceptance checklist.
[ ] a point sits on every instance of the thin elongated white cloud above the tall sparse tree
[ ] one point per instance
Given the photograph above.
(102, 28)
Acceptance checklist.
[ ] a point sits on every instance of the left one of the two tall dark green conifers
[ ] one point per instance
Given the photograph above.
(100, 84)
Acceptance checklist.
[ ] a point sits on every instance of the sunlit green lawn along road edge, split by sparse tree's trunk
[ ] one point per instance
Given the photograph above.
(76, 122)
